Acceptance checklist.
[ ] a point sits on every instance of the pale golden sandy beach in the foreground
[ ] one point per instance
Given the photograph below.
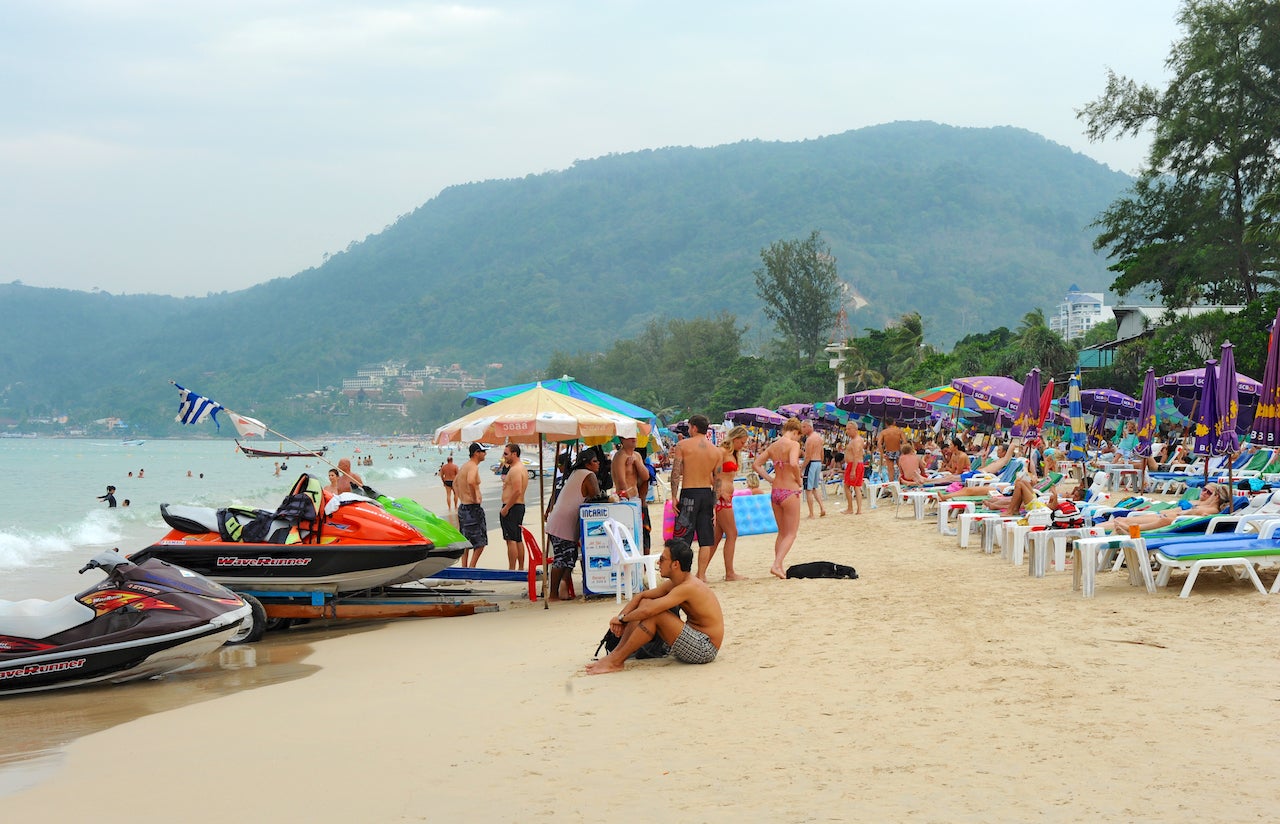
(945, 685)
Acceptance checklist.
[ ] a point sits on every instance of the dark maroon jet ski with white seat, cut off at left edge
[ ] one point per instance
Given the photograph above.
(145, 620)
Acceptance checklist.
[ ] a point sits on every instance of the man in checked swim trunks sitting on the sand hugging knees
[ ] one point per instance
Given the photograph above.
(650, 615)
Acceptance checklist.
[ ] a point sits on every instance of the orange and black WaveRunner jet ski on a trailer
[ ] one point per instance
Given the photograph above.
(313, 543)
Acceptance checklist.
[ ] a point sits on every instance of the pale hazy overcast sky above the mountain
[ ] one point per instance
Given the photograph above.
(186, 148)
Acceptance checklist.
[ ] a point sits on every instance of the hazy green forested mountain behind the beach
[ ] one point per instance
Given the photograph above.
(968, 227)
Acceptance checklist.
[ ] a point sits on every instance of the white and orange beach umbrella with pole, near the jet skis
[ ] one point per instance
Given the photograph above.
(538, 416)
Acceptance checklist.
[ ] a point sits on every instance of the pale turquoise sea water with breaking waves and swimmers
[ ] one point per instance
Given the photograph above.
(52, 521)
